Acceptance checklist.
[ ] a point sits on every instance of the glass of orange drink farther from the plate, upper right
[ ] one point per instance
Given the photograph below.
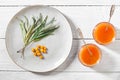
(104, 33)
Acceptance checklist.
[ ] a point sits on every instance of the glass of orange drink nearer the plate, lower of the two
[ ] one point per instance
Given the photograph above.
(87, 58)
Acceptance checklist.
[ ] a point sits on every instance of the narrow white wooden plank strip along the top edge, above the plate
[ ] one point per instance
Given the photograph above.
(59, 2)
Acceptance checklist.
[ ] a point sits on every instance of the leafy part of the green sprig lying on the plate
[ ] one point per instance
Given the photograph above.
(37, 30)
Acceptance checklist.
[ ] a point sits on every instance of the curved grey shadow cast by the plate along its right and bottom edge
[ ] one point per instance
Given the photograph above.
(72, 55)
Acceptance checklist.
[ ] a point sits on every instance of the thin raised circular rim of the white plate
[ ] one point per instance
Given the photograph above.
(53, 68)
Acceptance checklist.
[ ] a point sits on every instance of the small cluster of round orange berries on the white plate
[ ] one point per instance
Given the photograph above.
(39, 50)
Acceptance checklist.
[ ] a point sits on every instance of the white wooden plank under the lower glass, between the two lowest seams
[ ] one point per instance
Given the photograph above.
(109, 62)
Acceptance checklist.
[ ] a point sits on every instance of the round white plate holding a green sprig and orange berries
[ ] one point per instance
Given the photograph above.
(59, 44)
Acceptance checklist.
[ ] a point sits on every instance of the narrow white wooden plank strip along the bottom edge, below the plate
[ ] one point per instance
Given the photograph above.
(58, 76)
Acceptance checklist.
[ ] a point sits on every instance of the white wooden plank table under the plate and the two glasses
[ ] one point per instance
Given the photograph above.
(80, 13)
